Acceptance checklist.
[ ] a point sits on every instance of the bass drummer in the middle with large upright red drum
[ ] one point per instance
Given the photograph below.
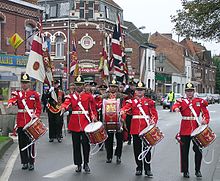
(111, 104)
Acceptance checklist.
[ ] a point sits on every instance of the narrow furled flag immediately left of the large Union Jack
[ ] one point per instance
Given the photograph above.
(103, 64)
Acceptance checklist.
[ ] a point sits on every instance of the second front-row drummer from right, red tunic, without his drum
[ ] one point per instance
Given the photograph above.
(138, 123)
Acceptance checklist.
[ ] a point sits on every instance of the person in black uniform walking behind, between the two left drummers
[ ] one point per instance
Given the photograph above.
(55, 120)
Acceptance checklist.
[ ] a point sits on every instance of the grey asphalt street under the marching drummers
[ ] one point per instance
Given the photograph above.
(54, 160)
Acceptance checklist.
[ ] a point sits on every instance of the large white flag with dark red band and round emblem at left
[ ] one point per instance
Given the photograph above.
(35, 66)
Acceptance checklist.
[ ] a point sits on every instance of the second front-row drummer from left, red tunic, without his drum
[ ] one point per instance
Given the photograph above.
(78, 121)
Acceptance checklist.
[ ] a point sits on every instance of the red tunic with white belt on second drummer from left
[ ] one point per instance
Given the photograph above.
(78, 120)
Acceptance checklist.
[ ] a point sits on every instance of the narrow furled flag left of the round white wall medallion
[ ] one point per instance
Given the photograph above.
(74, 67)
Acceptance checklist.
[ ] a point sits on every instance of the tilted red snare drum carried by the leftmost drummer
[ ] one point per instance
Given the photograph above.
(34, 129)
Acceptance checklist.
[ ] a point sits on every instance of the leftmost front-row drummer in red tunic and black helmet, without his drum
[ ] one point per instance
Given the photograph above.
(32, 99)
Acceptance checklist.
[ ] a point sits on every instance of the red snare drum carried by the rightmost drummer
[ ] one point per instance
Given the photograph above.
(203, 136)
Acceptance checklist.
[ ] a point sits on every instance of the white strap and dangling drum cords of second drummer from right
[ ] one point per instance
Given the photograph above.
(144, 153)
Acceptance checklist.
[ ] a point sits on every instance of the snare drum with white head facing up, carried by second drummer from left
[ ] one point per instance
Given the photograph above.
(96, 132)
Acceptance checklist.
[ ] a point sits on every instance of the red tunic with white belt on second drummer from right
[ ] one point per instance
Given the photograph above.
(138, 123)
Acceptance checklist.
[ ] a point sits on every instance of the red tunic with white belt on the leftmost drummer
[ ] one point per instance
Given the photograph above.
(33, 102)
